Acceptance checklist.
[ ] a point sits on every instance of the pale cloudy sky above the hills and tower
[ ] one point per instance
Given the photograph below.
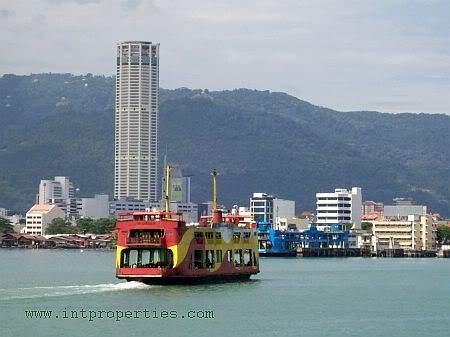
(383, 55)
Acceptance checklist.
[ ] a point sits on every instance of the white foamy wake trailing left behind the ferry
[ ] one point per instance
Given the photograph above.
(55, 291)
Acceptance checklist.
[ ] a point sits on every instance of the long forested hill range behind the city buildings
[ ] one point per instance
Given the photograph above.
(60, 124)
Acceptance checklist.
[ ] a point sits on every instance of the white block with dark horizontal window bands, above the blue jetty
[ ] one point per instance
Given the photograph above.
(341, 207)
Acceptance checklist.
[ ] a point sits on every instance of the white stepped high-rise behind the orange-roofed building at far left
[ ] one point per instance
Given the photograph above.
(59, 191)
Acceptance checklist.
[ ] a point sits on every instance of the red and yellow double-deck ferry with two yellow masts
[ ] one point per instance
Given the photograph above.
(157, 247)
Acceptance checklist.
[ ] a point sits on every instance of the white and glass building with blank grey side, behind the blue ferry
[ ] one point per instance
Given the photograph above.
(266, 208)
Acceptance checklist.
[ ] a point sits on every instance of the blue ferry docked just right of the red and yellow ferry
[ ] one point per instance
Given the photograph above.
(275, 243)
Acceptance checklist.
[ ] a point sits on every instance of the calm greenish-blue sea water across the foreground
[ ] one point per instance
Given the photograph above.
(290, 297)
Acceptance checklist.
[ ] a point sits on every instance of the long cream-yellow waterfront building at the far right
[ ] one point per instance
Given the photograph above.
(413, 232)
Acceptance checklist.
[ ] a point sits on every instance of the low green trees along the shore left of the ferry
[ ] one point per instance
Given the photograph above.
(98, 226)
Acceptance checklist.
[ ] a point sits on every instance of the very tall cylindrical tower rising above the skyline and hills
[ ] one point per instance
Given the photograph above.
(137, 122)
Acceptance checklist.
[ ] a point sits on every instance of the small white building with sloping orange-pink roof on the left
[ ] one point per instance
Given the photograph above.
(40, 216)
